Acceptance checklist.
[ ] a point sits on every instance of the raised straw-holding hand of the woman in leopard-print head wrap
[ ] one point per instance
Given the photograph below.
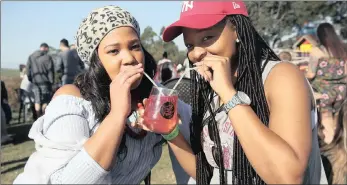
(120, 89)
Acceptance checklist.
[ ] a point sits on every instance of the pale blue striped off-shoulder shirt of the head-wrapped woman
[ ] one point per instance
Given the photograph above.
(60, 157)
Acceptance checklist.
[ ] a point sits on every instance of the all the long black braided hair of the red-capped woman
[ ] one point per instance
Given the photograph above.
(251, 51)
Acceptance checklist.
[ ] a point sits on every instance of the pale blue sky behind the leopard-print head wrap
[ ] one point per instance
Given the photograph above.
(25, 25)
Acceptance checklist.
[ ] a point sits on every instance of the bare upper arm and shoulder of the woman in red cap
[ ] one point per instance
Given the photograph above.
(289, 100)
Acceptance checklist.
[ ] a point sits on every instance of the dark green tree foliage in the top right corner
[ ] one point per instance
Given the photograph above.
(275, 19)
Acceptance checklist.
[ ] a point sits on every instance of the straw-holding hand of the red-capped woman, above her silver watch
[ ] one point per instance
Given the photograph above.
(216, 70)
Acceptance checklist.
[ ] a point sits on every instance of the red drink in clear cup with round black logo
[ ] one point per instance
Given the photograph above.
(161, 113)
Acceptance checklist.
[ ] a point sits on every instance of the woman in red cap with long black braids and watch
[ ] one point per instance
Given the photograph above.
(254, 118)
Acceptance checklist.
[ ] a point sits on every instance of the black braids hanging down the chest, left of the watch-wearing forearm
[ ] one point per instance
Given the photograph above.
(203, 93)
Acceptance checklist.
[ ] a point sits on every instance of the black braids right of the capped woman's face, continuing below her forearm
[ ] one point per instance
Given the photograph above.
(252, 50)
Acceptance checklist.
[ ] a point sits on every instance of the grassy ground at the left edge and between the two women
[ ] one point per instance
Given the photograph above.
(14, 155)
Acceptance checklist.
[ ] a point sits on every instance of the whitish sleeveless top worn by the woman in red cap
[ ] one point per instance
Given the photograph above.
(226, 133)
